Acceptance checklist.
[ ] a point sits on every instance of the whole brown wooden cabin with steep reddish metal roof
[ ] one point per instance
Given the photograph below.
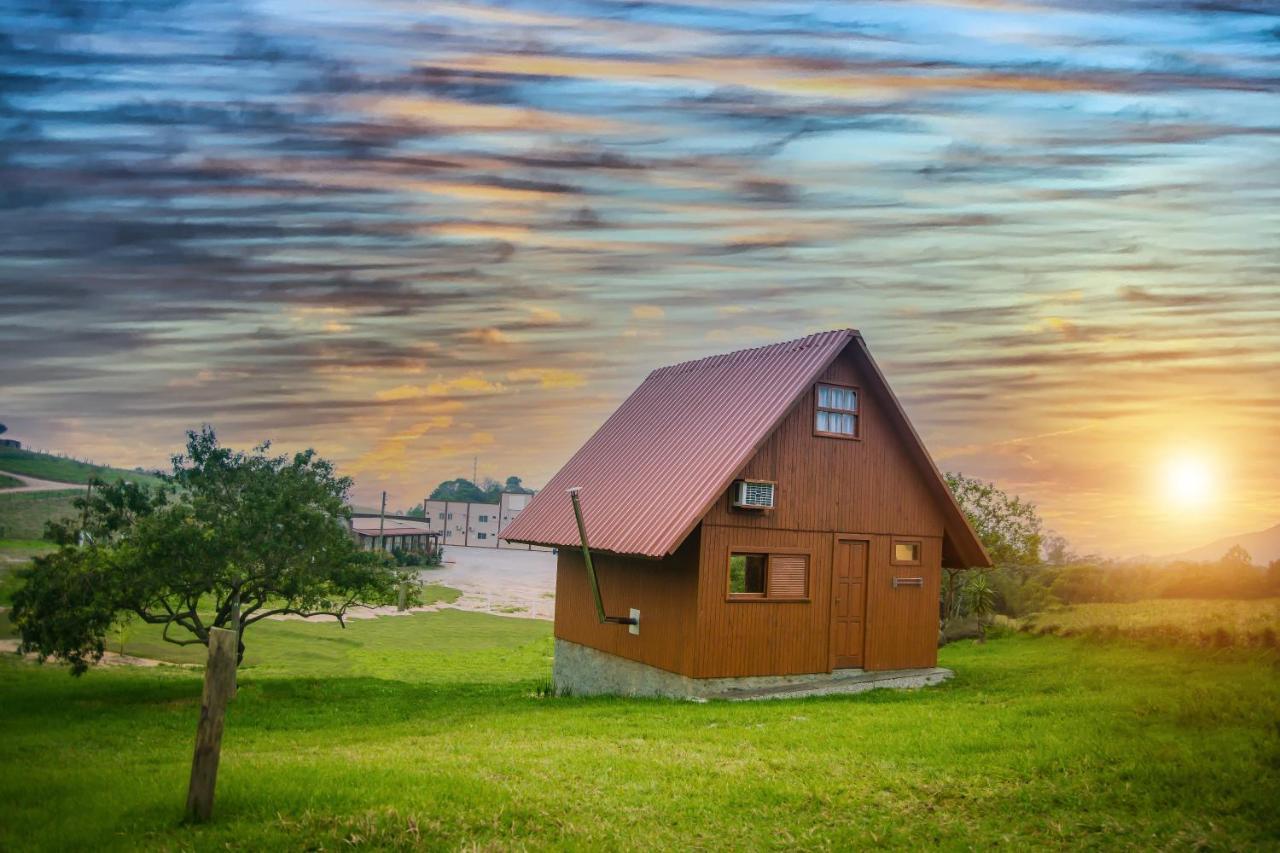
(766, 513)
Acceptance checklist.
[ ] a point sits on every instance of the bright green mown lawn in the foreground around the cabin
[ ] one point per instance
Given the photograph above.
(435, 735)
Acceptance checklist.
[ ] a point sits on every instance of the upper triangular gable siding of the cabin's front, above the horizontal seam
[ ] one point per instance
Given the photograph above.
(838, 485)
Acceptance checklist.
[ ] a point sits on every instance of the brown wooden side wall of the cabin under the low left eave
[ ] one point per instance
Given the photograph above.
(665, 591)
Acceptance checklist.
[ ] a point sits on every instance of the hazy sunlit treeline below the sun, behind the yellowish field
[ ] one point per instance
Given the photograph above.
(1021, 591)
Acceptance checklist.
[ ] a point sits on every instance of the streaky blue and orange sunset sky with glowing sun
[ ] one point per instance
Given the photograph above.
(414, 235)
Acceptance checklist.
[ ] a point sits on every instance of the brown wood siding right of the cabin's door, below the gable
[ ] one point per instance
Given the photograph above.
(903, 623)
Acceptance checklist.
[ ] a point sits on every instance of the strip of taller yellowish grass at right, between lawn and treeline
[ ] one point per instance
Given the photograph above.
(1168, 621)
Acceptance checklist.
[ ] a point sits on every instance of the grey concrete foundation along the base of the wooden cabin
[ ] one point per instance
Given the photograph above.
(582, 670)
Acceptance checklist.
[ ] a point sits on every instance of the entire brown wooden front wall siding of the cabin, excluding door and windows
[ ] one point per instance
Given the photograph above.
(825, 487)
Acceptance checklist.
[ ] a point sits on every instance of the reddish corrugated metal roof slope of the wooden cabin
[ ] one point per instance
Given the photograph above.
(674, 446)
